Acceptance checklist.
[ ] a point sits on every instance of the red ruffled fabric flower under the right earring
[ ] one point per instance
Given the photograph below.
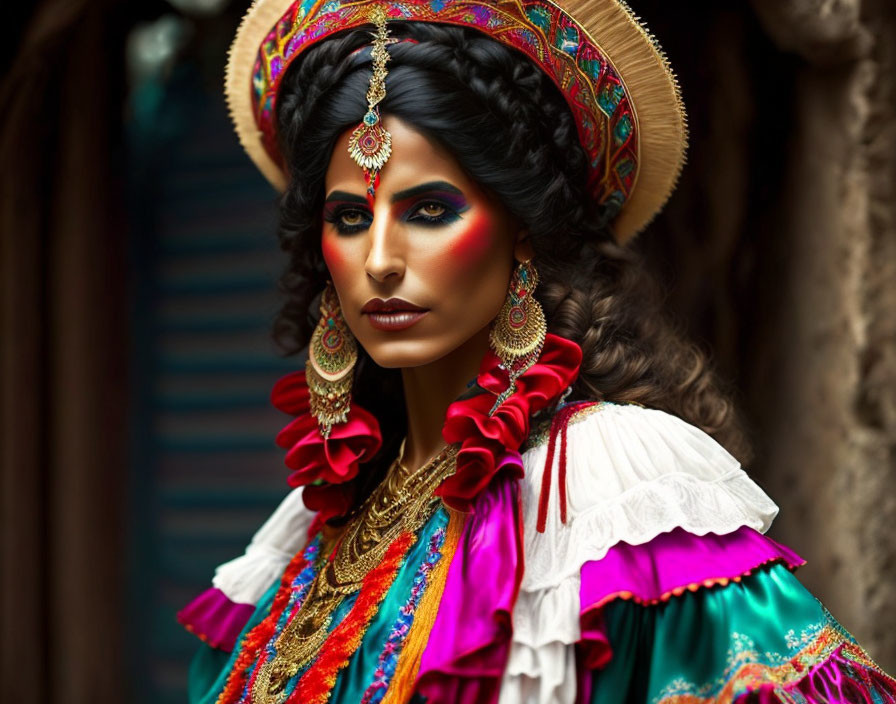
(483, 438)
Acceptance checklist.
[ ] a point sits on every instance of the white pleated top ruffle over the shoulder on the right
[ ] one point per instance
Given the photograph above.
(633, 473)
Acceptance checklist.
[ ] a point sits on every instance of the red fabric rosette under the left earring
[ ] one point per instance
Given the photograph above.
(323, 466)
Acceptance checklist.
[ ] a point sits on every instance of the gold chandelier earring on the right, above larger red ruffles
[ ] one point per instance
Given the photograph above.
(518, 332)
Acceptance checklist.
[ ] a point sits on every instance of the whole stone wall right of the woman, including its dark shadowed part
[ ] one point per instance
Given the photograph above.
(779, 253)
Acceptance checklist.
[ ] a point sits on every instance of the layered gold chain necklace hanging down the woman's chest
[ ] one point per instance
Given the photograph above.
(401, 503)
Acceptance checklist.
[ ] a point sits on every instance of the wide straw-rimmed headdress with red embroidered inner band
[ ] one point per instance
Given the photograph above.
(612, 72)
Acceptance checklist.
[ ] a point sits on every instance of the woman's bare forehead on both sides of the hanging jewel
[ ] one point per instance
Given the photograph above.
(415, 158)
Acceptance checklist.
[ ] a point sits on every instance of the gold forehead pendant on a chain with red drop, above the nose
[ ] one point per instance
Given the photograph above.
(371, 144)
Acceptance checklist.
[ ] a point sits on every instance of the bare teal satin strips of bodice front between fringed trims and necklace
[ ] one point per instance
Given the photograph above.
(210, 668)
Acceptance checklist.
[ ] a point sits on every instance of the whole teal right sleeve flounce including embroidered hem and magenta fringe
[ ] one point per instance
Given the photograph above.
(761, 639)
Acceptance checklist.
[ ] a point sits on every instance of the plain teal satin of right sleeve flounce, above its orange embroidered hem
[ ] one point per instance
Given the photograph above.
(692, 644)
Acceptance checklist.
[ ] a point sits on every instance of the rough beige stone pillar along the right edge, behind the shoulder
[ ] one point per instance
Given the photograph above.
(831, 410)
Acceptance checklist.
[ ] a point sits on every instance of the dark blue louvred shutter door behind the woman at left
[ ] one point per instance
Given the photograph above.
(205, 470)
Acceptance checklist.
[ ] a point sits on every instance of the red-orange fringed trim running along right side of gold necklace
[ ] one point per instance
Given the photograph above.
(315, 685)
